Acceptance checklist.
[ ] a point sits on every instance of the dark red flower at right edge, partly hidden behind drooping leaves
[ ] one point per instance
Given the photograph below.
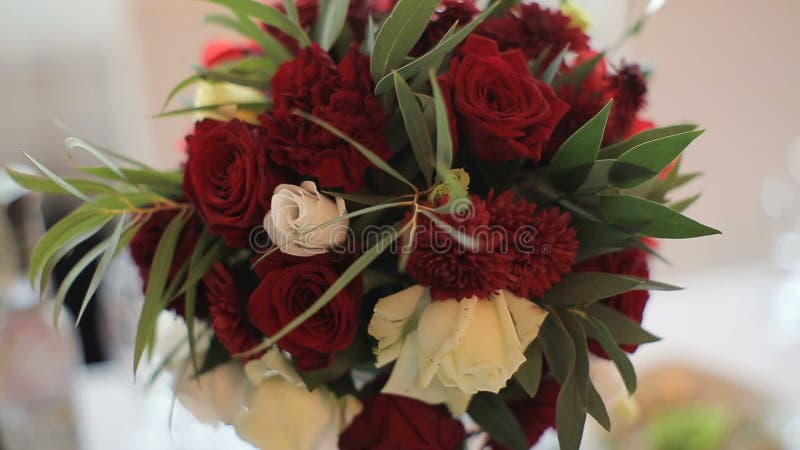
(629, 262)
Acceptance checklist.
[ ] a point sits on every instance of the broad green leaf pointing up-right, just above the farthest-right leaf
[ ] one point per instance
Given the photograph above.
(647, 160)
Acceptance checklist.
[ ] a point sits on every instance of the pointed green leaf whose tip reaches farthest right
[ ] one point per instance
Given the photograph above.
(654, 220)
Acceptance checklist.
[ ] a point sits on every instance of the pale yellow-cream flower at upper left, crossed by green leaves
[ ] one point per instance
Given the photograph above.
(228, 95)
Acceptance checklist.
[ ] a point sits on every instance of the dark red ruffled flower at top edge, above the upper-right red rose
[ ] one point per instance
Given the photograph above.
(535, 29)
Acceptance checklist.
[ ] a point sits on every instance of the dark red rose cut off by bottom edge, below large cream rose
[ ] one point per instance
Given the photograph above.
(389, 422)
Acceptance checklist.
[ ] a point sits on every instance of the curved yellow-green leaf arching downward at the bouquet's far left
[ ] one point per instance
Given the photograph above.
(66, 234)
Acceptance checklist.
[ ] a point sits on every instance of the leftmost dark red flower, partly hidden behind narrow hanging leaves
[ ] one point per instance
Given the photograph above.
(143, 250)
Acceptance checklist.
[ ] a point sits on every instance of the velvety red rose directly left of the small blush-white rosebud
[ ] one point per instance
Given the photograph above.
(229, 179)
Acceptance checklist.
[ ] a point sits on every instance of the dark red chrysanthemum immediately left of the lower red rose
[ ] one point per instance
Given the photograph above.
(227, 301)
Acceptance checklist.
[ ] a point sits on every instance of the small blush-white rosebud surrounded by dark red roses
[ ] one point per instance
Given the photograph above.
(295, 216)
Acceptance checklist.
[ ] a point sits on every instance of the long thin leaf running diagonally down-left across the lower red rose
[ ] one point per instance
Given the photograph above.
(344, 279)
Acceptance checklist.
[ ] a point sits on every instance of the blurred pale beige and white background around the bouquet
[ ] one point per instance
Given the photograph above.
(102, 68)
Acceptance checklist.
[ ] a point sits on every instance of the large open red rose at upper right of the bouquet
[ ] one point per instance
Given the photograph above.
(506, 113)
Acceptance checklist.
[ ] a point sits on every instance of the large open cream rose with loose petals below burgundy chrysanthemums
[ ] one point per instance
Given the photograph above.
(446, 351)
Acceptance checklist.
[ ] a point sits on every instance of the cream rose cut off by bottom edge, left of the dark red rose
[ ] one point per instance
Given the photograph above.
(283, 415)
